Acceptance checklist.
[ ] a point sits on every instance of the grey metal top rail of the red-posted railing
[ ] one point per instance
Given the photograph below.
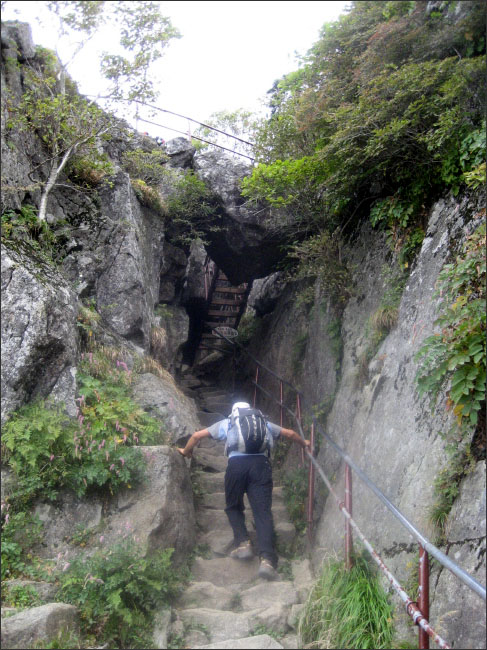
(471, 582)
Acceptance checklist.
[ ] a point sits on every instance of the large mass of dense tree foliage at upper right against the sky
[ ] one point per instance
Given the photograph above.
(385, 113)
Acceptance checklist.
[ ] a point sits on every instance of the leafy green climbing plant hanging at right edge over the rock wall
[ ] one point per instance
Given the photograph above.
(454, 358)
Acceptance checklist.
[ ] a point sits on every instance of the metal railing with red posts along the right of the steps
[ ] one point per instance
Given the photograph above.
(418, 611)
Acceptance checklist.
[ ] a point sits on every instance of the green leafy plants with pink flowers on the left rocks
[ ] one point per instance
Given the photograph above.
(47, 450)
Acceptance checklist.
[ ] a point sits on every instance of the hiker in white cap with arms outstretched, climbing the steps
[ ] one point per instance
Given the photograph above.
(251, 473)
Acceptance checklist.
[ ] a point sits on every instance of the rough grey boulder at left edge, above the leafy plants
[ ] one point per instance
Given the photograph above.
(39, 334)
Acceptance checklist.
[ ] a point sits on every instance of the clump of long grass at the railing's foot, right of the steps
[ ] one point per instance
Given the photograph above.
(347, 609)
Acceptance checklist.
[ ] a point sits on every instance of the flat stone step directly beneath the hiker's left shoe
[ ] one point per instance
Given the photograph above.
(225, 571)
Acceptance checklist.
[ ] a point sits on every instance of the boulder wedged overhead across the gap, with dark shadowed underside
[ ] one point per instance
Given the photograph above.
(243, 246)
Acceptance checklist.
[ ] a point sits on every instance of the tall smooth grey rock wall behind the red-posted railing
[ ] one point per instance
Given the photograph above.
(375, 413)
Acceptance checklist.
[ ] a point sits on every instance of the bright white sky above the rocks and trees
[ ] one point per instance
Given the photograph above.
(229, 55)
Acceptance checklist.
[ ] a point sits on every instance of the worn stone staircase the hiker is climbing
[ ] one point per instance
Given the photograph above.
(227, 605)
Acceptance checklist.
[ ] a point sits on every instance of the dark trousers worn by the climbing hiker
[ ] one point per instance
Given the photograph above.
(253, 475)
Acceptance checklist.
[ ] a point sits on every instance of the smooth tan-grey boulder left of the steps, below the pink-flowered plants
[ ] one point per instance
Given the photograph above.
(159, 513)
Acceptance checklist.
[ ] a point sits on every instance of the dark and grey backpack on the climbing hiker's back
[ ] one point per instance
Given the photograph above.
(247, 432)
